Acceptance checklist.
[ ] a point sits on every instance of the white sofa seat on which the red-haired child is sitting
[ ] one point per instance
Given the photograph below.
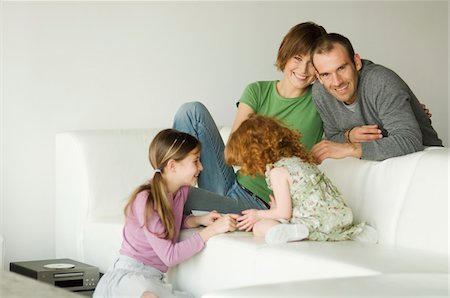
(239, 259)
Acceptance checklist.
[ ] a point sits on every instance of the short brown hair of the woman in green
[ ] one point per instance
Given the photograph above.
(298, 41)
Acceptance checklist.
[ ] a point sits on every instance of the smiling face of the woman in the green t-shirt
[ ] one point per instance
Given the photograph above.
(299, 71)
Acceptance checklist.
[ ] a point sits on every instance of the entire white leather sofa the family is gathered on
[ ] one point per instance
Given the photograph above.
(404, 198)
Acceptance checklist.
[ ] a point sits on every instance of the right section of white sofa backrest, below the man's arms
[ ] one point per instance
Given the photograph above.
(405, 198)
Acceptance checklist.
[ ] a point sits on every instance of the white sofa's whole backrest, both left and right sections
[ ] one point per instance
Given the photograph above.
(404, 198)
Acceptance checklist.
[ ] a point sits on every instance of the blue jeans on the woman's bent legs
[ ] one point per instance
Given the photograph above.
(218, 189)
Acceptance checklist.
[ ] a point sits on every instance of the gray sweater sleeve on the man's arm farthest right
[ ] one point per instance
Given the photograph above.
(390, 97)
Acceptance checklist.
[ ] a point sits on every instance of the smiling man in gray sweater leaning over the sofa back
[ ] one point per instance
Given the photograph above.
(367, 110)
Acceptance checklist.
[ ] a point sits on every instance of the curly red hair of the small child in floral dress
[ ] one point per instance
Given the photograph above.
(262, 140)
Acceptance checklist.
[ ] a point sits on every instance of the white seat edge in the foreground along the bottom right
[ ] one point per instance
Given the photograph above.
(385, 285)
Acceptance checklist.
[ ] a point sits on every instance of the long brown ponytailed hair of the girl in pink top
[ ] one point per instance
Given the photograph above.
(167, 144)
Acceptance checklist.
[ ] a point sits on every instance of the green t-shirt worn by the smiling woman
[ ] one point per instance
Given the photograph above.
(298, 113)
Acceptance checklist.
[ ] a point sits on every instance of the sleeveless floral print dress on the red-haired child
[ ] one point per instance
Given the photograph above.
(317, 203)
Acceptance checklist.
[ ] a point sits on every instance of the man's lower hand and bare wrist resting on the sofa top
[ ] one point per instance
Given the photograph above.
(328, 149)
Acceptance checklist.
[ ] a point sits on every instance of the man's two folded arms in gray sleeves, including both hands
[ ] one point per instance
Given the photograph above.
(386, 101)
